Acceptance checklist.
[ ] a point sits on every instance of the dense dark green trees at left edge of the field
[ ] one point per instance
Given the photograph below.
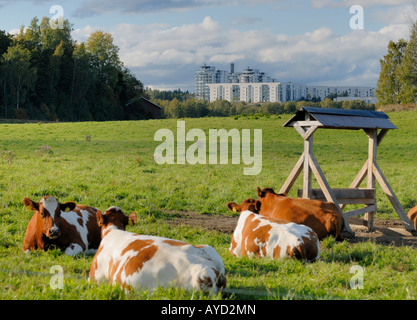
(46, 75)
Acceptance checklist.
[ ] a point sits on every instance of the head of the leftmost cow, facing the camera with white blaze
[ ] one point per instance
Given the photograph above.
(49, 209)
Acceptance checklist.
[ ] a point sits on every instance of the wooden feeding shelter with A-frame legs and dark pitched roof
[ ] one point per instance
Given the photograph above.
(306, 121)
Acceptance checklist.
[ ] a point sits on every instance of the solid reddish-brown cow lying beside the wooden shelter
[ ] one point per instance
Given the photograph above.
(323, 217)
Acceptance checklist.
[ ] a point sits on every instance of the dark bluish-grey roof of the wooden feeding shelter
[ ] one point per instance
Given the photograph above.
(342, 118)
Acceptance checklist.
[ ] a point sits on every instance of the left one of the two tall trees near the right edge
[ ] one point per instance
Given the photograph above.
(389, 85)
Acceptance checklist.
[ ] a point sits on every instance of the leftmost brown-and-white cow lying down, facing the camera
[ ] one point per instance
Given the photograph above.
(67, 226)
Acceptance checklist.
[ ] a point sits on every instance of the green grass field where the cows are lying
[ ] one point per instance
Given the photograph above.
(114, 165)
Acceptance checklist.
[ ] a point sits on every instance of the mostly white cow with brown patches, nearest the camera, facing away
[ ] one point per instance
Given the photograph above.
(137, 262)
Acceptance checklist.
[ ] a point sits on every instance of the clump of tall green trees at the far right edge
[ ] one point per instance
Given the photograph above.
(397, 83)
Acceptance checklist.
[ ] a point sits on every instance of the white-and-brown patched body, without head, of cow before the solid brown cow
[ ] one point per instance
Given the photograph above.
(261, 236)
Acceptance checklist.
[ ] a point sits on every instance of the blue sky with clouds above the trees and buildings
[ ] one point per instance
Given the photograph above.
(164, 42)
